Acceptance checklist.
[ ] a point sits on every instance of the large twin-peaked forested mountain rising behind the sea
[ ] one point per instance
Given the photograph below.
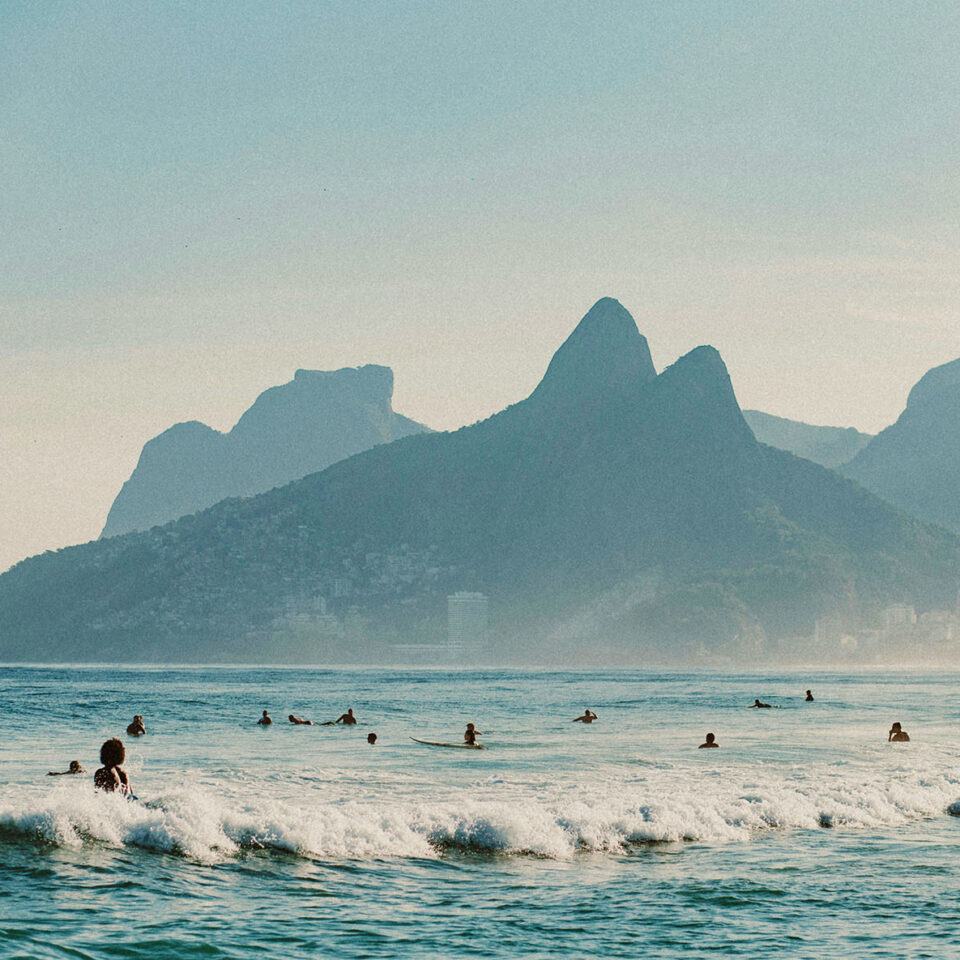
(613, 512)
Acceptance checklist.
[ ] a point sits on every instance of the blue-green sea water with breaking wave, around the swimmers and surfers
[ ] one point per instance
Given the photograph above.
(806, 834)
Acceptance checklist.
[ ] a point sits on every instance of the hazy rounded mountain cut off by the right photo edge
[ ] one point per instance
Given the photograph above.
(915, 463)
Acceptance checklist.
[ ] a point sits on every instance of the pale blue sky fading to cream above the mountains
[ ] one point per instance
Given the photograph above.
(198, 199)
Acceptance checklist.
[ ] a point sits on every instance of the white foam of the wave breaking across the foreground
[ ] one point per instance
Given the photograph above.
(608, 815)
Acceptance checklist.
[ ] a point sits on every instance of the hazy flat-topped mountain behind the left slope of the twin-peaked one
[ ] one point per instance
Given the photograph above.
(290, 431)
